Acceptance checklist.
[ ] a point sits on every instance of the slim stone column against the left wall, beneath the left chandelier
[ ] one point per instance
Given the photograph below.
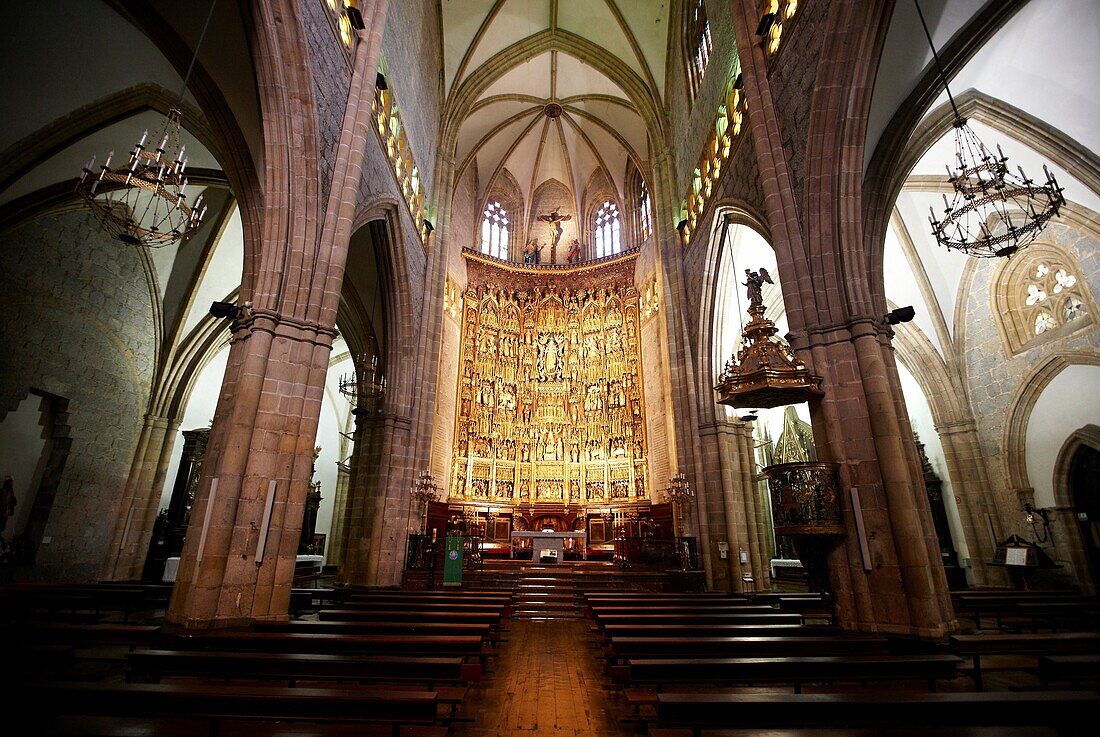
(141, 500)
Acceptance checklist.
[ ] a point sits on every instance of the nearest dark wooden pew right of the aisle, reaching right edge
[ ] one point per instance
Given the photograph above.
(1071, 713)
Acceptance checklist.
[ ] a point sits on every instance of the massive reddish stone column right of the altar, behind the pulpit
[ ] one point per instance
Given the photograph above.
(837, 325)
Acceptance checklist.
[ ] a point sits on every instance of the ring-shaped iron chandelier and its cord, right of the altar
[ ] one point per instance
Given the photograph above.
(993, 213)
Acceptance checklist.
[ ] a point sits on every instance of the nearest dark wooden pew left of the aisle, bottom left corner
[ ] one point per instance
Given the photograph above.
(223, 705)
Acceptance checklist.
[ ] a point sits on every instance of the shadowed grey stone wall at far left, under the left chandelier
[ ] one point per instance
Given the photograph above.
(80, 324)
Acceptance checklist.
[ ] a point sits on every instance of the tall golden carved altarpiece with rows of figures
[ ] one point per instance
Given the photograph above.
(551, 409)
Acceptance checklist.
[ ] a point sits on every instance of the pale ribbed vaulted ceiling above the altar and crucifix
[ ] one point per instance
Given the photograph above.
(554, 90)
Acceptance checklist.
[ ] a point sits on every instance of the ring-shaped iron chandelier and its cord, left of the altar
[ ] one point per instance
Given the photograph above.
(146, 202)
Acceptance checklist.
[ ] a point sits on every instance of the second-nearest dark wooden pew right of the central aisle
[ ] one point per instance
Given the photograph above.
(794, 670)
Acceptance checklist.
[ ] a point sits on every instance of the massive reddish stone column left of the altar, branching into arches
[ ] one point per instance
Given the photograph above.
(238, 562)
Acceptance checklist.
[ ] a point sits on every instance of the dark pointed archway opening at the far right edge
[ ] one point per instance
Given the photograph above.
(1079, 461)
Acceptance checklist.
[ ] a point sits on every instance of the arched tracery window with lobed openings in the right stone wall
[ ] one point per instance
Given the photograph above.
(1040, 296)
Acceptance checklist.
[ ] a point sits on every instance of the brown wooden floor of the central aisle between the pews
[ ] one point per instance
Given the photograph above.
(546, 684)
